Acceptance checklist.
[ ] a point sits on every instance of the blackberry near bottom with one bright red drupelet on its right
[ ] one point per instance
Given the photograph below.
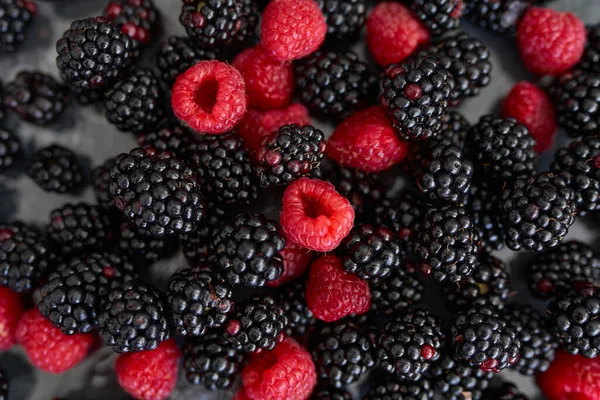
(410, 343)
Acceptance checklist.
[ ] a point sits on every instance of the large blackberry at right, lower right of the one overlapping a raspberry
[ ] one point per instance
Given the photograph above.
(537, 212)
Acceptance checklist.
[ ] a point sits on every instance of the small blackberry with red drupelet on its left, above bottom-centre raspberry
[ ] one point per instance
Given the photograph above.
(258, 324)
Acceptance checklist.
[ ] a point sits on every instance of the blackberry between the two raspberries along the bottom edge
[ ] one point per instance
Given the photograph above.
(212, 361)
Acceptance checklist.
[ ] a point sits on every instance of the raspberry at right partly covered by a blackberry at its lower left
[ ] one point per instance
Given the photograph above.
(532, 107)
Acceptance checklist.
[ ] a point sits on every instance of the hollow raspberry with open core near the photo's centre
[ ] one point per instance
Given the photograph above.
(314, 215)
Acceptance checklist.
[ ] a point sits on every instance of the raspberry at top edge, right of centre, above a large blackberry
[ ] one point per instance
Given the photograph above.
(394, 33)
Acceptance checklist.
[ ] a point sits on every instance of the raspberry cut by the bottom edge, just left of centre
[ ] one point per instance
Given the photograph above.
(285, 373)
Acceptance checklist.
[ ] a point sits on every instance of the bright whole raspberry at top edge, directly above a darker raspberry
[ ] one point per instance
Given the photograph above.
(292, 29)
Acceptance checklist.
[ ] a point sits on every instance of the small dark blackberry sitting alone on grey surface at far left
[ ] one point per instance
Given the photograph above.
(56, 169)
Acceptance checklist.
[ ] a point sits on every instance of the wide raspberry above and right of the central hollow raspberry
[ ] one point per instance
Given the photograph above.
(366, 141)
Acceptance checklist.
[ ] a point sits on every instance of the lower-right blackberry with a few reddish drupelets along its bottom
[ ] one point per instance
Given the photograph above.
(484, 339)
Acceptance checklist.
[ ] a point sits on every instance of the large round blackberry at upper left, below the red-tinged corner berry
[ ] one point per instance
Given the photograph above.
(93, 54)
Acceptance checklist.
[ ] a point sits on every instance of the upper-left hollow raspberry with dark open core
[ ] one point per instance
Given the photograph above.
(210, 97)
